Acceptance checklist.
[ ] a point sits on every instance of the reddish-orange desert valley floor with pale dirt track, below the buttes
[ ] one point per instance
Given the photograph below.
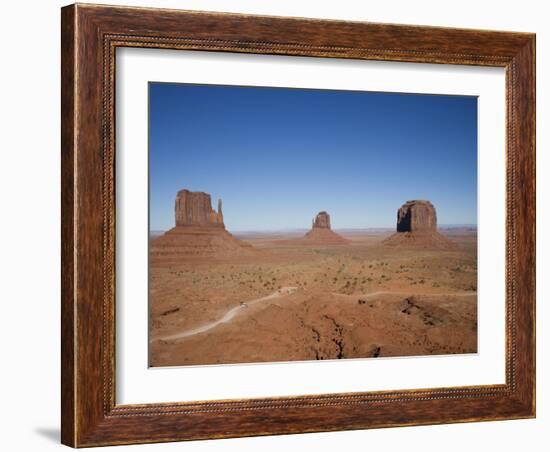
(283, 300)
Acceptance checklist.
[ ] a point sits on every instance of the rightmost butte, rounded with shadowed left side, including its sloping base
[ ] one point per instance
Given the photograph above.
(417, 227)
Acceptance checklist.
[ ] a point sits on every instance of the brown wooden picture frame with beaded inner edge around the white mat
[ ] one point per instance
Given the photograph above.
(90, 36)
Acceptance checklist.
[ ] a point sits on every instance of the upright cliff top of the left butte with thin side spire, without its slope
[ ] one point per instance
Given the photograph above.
(195, 209)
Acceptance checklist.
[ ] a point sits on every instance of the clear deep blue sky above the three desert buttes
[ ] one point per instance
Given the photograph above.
(277, 156)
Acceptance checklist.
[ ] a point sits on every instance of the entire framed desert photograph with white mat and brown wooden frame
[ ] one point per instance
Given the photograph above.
(281, 225)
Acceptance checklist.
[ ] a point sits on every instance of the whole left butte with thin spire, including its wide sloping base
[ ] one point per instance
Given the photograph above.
(199, 232)
